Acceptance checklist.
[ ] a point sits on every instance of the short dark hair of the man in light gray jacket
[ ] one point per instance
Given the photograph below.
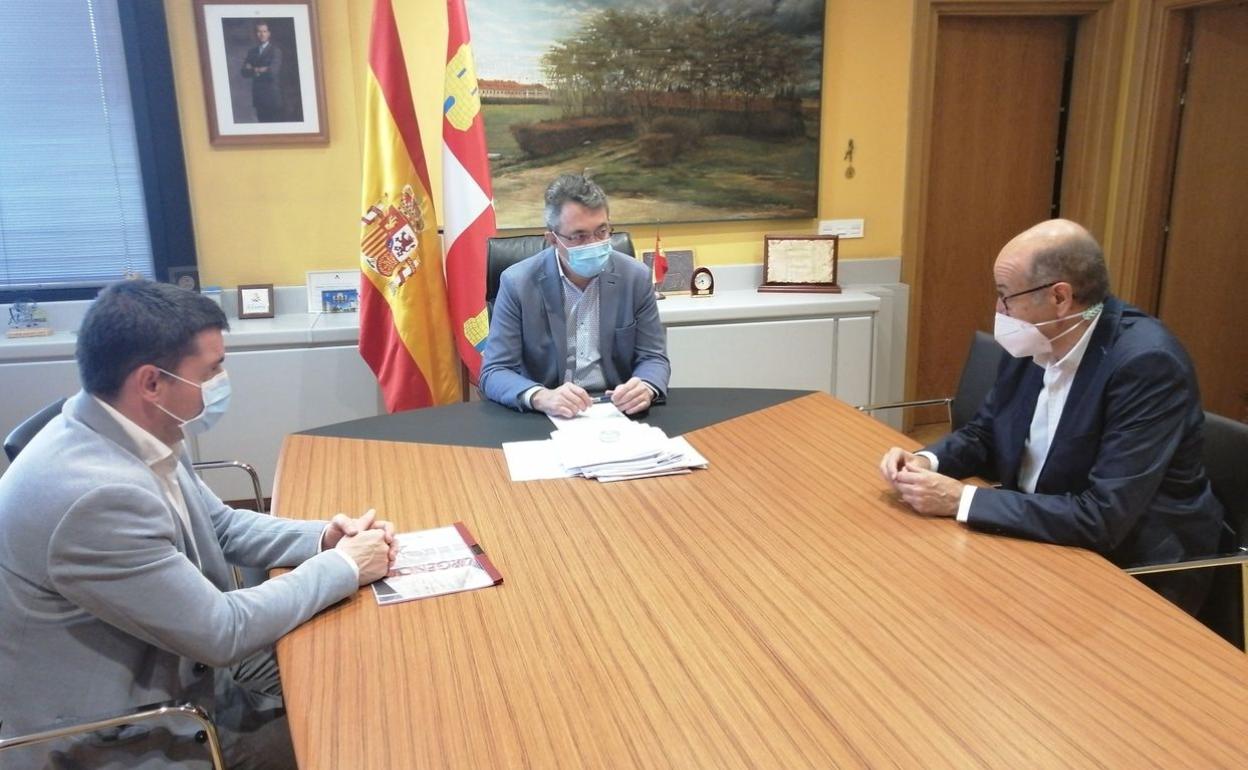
(137, 323)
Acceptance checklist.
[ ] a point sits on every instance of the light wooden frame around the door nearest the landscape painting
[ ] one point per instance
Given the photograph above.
(1090, 134)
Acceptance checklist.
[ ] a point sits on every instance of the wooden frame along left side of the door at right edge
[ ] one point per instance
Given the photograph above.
(1149, 138)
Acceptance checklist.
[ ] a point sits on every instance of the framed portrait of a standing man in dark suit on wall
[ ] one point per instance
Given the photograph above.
(261, 88)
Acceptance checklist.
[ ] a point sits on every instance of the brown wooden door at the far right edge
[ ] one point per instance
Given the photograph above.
(1205, 273)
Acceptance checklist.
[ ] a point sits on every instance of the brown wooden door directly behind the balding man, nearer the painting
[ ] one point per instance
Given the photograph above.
(994, 144)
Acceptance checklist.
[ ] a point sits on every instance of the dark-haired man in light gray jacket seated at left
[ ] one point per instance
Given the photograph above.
(115, 583)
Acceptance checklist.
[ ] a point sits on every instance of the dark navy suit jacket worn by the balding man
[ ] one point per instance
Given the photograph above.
(1124, 475)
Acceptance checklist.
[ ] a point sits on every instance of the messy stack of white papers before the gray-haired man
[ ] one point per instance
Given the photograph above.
(603, 445)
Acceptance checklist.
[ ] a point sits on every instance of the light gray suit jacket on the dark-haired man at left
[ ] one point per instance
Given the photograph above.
(108, 602)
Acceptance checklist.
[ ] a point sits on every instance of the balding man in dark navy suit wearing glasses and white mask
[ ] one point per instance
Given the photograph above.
(1094, 427)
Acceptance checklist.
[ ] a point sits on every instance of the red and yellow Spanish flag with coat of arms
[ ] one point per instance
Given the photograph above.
(405, 330)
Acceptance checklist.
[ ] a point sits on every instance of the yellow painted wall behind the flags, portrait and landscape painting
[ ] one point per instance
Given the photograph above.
(266, 215)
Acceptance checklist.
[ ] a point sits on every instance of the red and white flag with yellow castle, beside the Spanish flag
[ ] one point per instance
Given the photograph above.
(467, 199)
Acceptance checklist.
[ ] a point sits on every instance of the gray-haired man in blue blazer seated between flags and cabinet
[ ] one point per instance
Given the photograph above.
(577, 319)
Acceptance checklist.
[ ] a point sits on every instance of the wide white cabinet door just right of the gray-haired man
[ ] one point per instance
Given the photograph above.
(798, 355)
